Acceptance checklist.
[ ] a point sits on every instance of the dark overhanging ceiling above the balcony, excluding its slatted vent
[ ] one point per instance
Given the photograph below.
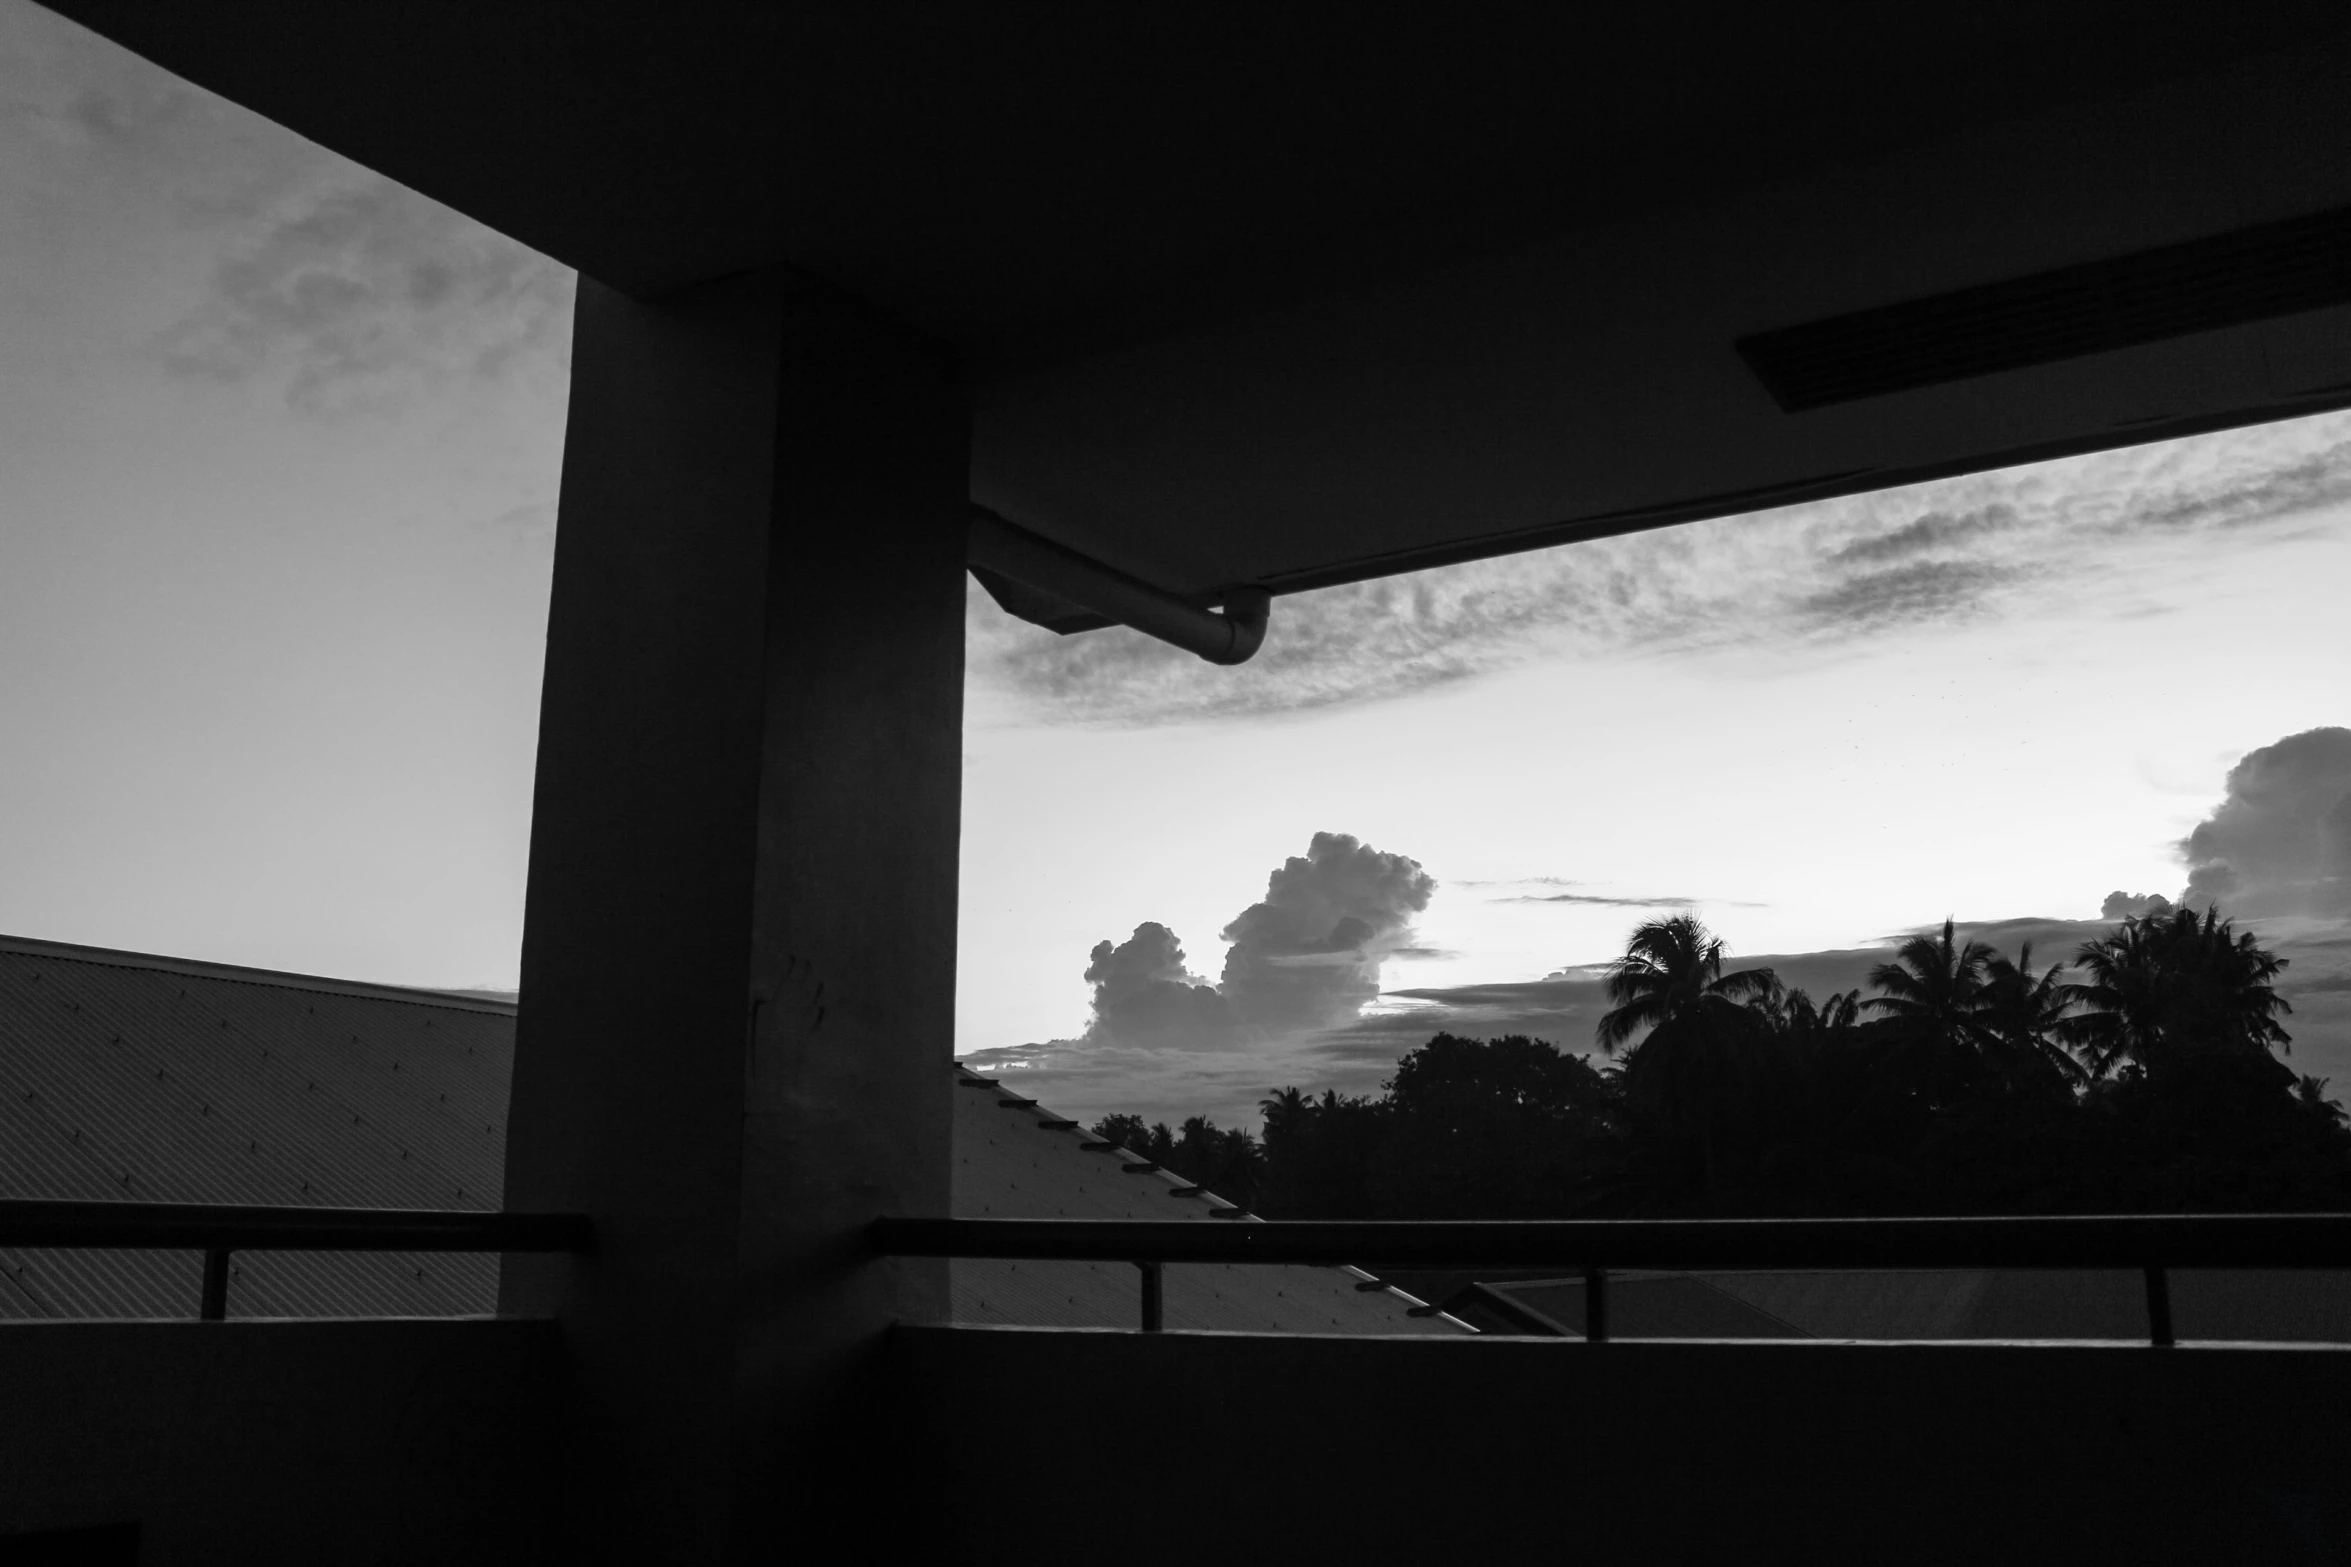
(1304, 295)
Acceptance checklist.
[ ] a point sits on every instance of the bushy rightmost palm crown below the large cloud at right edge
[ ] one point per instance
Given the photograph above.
(2173, 983)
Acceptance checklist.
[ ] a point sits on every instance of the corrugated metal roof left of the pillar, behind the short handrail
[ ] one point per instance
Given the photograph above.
(173, 1082)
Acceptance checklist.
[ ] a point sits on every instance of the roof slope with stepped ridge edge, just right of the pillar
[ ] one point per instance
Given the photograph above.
(1017, 1159)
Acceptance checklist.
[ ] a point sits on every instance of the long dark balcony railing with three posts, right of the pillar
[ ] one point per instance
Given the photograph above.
(2150, 1244)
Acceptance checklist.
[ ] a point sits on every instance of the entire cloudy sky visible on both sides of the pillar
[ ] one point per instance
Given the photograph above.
(281, 450)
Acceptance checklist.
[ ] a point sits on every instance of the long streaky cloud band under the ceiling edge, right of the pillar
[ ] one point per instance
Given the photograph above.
(1823, 574)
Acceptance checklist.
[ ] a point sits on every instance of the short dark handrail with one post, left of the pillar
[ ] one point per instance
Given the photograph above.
(222, 1230)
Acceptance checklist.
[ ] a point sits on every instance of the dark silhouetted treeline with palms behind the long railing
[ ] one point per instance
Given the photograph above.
(2143, 1077)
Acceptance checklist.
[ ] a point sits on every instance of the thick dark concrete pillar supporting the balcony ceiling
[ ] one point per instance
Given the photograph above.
(739, 948)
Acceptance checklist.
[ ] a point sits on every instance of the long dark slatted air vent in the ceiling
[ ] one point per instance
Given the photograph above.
(2223, 281)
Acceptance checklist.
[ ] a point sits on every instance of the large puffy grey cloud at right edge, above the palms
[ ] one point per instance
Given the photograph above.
(2282, 838)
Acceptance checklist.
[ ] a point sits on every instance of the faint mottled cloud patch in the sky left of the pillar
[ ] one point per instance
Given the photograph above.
(363, 292)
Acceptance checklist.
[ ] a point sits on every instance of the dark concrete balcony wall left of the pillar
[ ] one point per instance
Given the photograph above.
(316, 1441)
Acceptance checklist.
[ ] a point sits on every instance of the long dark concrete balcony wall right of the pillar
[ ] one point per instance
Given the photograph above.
(1188, 1448)
